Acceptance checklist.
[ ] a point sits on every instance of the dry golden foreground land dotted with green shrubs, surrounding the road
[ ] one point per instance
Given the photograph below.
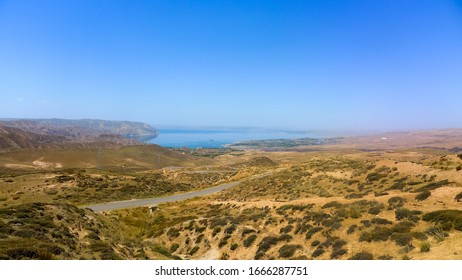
(316, 205)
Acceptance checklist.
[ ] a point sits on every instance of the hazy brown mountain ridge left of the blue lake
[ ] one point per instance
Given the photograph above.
(39, 133)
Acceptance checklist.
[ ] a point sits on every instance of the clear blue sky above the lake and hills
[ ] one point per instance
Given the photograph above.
(376, 64)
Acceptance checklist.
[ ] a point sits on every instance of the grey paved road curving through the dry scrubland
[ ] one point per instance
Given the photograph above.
(108, 206)
